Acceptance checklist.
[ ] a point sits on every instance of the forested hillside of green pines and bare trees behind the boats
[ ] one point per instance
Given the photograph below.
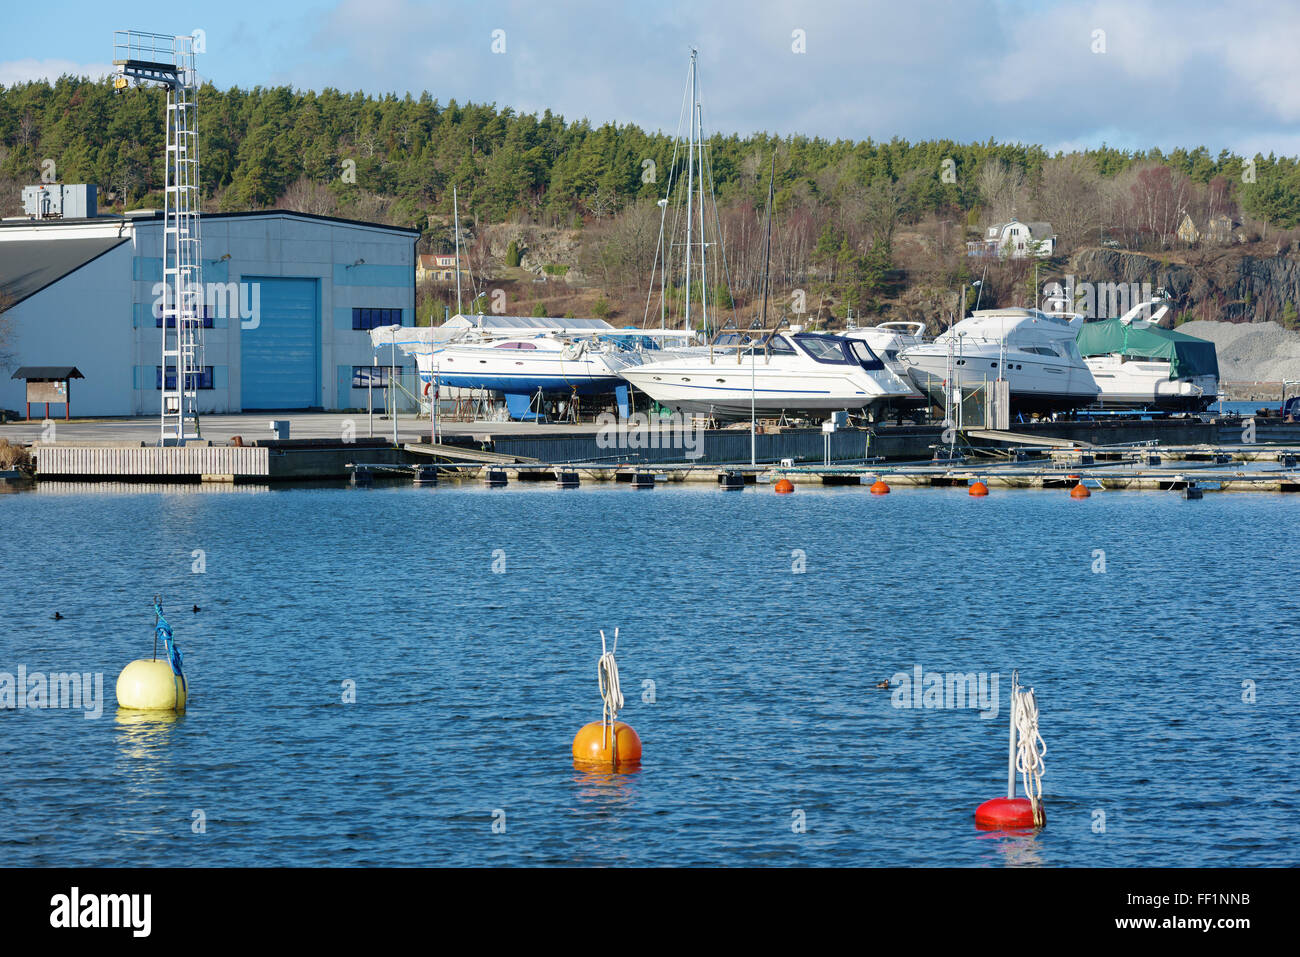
(864, 226)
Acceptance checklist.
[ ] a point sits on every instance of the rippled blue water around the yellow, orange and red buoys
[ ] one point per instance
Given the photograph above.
(471, 685)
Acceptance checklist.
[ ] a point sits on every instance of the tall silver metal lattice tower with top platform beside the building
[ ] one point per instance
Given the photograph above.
(170, 60)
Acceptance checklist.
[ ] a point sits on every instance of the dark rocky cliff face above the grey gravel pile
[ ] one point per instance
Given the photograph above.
(1212, 285)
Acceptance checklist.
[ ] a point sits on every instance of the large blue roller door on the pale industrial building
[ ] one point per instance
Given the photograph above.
(280, 360)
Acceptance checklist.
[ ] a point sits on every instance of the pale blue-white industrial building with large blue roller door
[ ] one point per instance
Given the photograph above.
(291, 304)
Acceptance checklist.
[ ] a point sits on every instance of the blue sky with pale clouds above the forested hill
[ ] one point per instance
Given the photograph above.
(1130, 73)
